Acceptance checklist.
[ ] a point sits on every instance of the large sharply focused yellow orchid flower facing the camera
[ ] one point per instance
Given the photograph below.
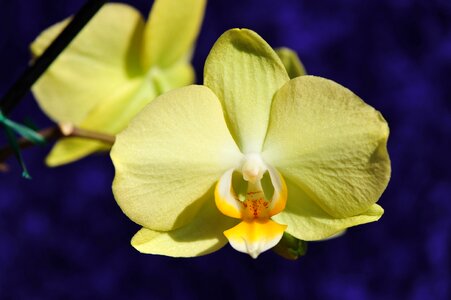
(249, 155)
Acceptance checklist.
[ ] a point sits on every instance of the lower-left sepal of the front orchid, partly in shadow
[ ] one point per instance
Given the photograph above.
(203, 235)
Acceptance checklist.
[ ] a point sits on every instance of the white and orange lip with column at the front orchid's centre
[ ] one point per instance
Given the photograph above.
(257, 232)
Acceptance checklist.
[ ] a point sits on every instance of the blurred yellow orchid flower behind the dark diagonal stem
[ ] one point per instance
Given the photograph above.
(114, 67)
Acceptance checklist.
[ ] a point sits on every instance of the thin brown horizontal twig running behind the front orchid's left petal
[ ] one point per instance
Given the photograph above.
(63, 130)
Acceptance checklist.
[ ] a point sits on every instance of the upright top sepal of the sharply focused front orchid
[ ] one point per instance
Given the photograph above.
(245, 73)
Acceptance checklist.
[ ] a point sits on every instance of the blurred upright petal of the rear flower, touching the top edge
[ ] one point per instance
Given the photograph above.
(171, 31)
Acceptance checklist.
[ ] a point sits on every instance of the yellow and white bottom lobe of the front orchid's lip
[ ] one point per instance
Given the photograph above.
(255, 237)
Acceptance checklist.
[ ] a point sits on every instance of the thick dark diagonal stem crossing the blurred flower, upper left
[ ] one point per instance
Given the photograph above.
(16, 93)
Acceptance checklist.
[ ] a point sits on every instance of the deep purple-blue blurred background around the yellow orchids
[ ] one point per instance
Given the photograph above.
(63, 236)
